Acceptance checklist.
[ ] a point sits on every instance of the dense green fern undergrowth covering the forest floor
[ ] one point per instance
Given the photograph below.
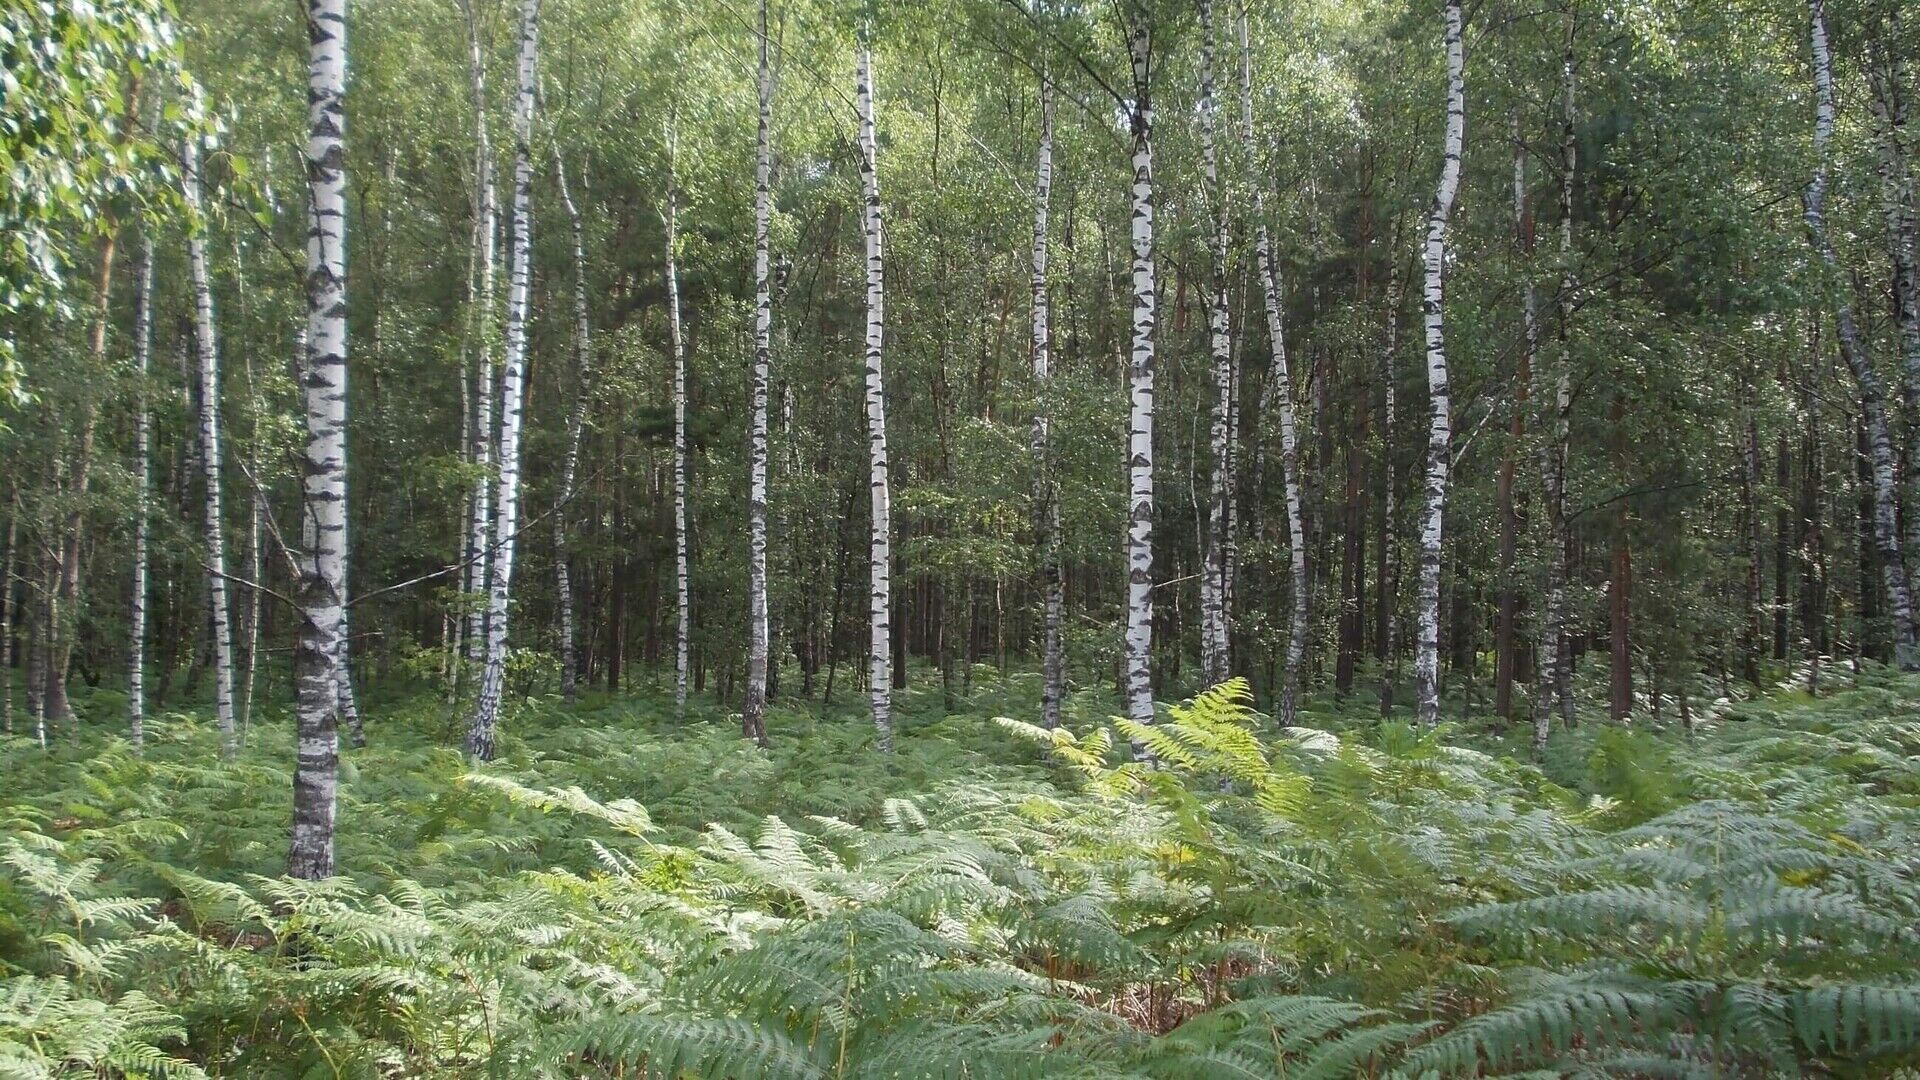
(631, 896)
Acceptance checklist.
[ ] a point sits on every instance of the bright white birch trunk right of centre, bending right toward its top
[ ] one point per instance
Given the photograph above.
(1441, 430)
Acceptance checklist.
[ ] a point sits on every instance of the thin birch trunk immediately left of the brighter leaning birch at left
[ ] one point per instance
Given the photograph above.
(481, 333)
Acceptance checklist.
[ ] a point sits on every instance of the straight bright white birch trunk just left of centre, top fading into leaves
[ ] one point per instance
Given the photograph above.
(880, 562)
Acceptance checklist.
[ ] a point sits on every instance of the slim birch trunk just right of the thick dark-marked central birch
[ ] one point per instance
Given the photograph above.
(1214, 585)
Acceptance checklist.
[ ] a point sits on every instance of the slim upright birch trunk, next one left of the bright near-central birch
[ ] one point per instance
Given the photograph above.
(754, 714)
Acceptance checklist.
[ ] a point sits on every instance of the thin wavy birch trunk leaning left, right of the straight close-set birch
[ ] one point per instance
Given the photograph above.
(1278, 399)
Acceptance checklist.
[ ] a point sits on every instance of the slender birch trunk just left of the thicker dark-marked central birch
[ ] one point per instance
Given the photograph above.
(1045, 489)
